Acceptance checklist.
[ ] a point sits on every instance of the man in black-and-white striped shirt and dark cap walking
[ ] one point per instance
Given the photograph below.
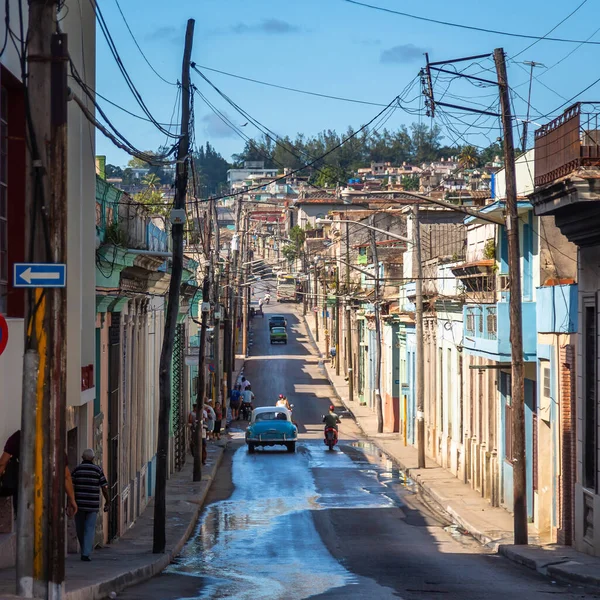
(88, 481)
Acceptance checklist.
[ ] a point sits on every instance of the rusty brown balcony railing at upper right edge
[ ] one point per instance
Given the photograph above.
(567, 143)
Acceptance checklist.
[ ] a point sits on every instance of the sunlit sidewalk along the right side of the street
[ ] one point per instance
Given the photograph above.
(492, 526)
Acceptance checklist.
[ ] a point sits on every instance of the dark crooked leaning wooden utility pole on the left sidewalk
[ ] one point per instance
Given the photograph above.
(166, 355)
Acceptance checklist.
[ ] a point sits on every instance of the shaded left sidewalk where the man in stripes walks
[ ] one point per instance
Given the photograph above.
(130, 560)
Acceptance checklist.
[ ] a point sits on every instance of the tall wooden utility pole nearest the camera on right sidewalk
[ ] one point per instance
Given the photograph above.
(516, 333)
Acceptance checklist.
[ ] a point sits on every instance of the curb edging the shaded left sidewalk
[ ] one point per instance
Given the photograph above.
(99, 591)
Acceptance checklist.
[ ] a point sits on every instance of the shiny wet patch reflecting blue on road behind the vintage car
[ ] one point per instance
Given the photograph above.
(262, 541)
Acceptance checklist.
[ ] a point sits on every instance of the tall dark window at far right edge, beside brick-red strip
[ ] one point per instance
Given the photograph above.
(590, 414)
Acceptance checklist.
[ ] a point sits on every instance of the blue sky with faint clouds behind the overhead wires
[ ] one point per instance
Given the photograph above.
(333, 47)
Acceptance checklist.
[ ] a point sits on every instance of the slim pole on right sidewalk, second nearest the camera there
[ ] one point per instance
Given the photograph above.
(420, 366)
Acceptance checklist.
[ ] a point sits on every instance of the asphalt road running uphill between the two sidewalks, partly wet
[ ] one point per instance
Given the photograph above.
(320, 524)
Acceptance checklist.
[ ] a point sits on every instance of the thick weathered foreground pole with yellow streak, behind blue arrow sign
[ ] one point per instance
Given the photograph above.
(41, 510)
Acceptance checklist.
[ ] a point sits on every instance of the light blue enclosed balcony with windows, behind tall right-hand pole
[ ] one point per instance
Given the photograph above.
(487, 330)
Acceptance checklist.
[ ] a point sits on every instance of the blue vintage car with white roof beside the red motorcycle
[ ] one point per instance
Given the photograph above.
(271, 426)
